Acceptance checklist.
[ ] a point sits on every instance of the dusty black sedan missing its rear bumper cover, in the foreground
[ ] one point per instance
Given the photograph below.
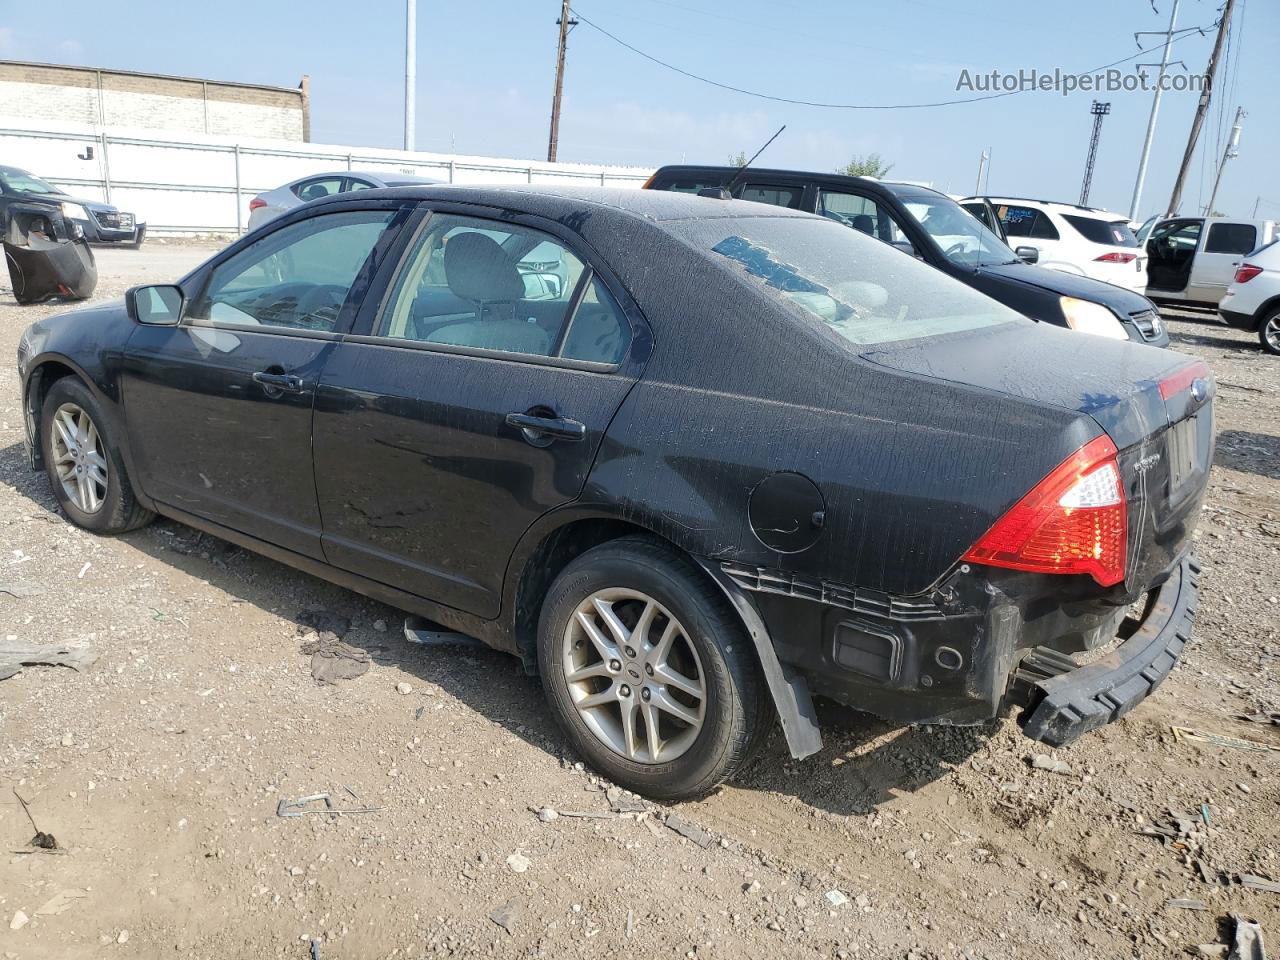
(744, 456)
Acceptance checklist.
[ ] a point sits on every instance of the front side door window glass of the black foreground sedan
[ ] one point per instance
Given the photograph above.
(296, 277)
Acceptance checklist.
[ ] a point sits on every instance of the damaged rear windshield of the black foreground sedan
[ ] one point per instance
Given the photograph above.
(865, 291)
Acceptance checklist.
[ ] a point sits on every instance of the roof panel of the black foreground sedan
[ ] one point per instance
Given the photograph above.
(563, 200)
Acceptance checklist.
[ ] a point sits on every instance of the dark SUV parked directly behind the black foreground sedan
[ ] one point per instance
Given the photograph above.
(932, 227)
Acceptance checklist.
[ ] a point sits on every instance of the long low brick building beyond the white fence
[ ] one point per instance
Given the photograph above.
(35, 92)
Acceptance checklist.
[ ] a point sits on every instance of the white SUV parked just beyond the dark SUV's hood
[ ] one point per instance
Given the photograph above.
(1077, 240)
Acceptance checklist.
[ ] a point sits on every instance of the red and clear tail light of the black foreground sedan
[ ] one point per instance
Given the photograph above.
(1073, 522)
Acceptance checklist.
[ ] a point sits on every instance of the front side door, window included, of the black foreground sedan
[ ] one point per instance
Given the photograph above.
(220, 408)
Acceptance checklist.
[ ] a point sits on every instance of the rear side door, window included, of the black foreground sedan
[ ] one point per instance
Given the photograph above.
(474, 404)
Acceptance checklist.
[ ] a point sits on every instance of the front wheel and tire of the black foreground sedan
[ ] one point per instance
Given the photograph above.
(108, 508)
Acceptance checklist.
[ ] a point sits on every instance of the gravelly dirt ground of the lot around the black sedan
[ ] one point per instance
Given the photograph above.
(161, 769)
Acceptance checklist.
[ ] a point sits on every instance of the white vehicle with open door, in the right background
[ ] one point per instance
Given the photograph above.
(1194, 259)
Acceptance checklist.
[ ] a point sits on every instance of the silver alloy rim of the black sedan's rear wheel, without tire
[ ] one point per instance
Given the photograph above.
(634, 676)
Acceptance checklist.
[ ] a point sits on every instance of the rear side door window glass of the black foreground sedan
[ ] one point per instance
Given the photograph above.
(476, 284)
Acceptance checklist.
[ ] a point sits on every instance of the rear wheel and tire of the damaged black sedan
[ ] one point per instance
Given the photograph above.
(708, 650)
